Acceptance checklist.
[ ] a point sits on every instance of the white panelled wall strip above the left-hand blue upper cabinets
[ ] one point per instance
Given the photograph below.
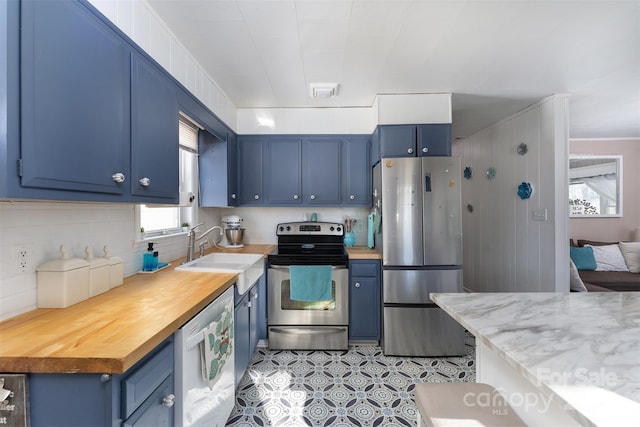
(138, 21)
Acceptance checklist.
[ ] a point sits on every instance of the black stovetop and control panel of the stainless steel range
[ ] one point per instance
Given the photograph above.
(310, 243)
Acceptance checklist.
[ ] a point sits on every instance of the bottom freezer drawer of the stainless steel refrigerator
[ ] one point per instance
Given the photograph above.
(421, 331)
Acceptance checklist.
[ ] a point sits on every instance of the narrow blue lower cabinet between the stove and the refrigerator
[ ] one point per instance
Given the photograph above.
(364, 300)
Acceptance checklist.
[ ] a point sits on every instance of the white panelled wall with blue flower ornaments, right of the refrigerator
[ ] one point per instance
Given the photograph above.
(505, 250)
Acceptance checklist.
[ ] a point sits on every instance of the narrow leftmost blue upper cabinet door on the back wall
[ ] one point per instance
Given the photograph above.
(250, 171)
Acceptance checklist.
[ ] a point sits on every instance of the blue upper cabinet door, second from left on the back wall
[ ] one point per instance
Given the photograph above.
(283, 186)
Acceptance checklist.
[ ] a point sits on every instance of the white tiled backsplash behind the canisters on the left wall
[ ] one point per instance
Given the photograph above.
(41, 227)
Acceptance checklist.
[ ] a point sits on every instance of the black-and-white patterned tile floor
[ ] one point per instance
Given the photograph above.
(359, 387)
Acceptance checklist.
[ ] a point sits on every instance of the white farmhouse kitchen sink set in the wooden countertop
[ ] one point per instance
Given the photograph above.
(249, 267)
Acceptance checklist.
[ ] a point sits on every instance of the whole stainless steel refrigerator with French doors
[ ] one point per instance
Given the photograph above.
(421, 243)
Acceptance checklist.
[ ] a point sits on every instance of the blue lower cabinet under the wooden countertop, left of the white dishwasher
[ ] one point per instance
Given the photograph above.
(134, 398)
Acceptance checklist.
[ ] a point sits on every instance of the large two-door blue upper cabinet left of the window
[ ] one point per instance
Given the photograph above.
(98, 118)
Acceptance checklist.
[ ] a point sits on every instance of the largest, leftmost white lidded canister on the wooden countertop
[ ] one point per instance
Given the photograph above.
(62, 282)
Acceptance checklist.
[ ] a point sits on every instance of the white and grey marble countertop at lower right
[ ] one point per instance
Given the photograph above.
(583, 348)
